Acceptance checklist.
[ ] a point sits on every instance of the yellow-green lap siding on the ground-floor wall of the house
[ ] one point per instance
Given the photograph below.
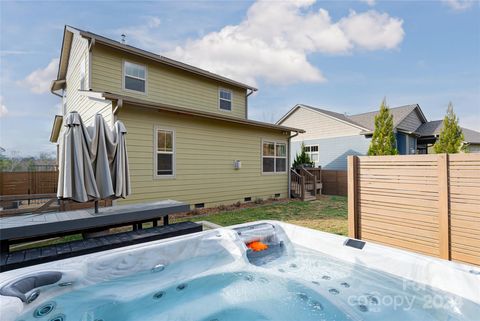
(205, 152)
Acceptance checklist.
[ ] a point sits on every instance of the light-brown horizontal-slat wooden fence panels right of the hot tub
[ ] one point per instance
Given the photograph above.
(423, 203)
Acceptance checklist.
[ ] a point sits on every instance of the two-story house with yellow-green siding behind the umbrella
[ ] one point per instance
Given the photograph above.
(189, 137)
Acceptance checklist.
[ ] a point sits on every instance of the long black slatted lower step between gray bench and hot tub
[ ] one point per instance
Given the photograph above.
(24, 258)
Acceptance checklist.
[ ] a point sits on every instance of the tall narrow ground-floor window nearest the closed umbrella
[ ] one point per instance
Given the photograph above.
(164, 149)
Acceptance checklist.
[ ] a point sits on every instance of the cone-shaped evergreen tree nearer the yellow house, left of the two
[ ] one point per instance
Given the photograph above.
(383, 140)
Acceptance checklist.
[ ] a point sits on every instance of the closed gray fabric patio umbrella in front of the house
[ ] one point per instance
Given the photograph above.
(93, 161)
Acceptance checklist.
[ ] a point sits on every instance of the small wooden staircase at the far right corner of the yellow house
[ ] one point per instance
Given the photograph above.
(306, 183)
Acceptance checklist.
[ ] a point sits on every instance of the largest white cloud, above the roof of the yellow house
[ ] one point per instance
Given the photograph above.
(275, 39)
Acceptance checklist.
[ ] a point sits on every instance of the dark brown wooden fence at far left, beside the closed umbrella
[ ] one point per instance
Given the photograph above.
(22, 183)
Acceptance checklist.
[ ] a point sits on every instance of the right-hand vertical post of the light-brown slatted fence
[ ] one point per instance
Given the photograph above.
(443, 207)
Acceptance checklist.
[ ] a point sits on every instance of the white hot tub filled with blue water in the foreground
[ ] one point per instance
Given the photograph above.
(213, 276)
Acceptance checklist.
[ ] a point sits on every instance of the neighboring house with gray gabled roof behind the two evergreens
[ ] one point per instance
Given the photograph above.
(330, 137)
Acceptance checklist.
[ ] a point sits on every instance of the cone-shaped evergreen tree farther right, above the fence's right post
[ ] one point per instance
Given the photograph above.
(451, 137)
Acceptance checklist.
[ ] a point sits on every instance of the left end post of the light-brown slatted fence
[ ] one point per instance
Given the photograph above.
(352, 197)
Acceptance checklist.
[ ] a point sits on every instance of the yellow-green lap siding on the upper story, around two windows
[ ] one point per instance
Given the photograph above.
(165, 84)
